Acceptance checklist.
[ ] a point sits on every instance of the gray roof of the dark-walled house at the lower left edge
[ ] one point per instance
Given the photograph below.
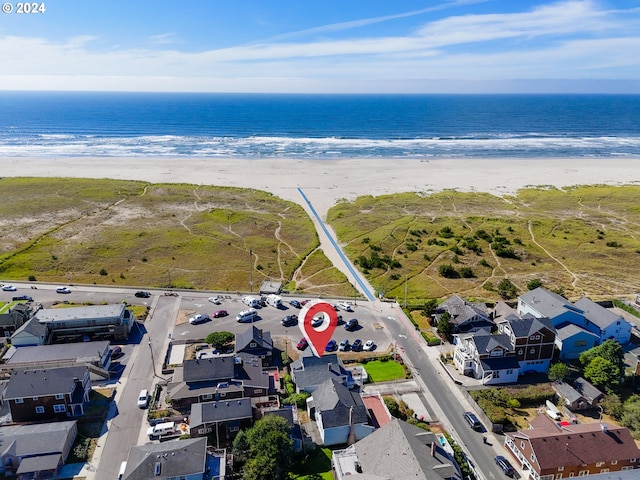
(40, 383)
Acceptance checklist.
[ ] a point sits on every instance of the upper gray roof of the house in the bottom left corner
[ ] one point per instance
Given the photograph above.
(36, 439)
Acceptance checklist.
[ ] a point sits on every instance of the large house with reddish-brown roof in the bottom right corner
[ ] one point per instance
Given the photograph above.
(549, 451)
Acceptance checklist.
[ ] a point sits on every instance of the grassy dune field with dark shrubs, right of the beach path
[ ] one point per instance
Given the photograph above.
(487, 247)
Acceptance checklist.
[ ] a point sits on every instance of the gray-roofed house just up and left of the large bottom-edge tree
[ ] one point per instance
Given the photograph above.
(222, 419)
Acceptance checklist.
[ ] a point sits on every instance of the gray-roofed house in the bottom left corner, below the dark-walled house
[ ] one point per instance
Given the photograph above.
(36, 449)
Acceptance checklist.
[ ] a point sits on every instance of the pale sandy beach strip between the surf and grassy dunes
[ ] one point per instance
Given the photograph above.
(325, 182)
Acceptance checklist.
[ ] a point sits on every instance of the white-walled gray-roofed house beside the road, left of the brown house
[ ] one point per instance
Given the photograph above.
(486, 357)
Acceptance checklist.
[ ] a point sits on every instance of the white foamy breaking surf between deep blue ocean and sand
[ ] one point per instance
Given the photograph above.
(520, 145)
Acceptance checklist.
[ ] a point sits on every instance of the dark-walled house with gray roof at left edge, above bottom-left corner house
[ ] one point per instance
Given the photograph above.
(48, 394)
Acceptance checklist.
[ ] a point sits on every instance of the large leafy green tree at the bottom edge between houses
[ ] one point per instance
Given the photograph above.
(270, 450)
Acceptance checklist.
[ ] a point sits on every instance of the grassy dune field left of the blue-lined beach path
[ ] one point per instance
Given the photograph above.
(162, 235)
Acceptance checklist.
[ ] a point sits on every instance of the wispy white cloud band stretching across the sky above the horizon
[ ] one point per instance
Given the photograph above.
(569, 40)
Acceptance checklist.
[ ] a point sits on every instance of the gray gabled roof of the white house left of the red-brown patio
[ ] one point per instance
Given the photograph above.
(335, 402)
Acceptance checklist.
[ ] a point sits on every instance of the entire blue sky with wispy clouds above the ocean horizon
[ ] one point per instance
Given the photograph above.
(348, 46)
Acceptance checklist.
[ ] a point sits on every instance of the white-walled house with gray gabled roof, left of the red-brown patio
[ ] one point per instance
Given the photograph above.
(340, 413)
